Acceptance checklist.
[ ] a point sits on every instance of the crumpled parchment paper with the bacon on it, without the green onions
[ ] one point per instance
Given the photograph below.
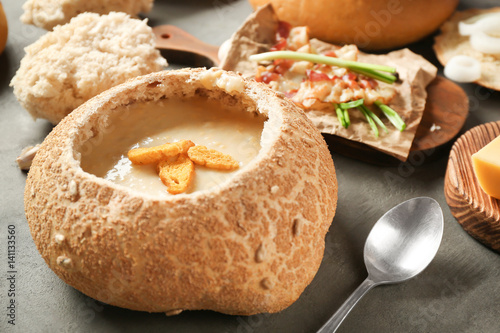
(318, 89)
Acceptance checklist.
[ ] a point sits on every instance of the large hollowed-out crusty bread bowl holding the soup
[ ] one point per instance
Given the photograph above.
(250, 244)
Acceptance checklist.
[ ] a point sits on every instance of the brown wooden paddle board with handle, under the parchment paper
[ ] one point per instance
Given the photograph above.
(446, 109)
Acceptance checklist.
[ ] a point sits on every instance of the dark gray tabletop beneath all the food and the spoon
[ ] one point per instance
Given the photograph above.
(458, 292)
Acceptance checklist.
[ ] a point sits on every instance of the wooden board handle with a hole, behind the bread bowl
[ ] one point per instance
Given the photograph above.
(170, 37)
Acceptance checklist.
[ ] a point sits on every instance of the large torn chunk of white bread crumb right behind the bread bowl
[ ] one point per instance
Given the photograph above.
(79, 60)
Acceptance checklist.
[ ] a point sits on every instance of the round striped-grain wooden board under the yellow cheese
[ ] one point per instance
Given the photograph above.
(477, 212)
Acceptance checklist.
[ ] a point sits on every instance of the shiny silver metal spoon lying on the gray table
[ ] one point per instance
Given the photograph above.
(401, 245)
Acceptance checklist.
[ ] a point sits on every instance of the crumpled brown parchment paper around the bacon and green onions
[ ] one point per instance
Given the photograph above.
(414, 71)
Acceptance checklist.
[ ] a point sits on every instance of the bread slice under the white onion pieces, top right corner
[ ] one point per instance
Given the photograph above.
(450, 43)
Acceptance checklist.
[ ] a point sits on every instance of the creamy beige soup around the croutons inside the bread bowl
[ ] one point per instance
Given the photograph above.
(150, 124)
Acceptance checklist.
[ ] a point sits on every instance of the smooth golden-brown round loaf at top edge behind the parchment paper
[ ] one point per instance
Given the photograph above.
(370, 24)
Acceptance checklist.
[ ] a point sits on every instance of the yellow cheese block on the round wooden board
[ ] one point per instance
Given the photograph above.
(487, 167)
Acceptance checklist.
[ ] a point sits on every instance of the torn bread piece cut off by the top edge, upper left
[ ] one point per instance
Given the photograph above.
(49, 13)
